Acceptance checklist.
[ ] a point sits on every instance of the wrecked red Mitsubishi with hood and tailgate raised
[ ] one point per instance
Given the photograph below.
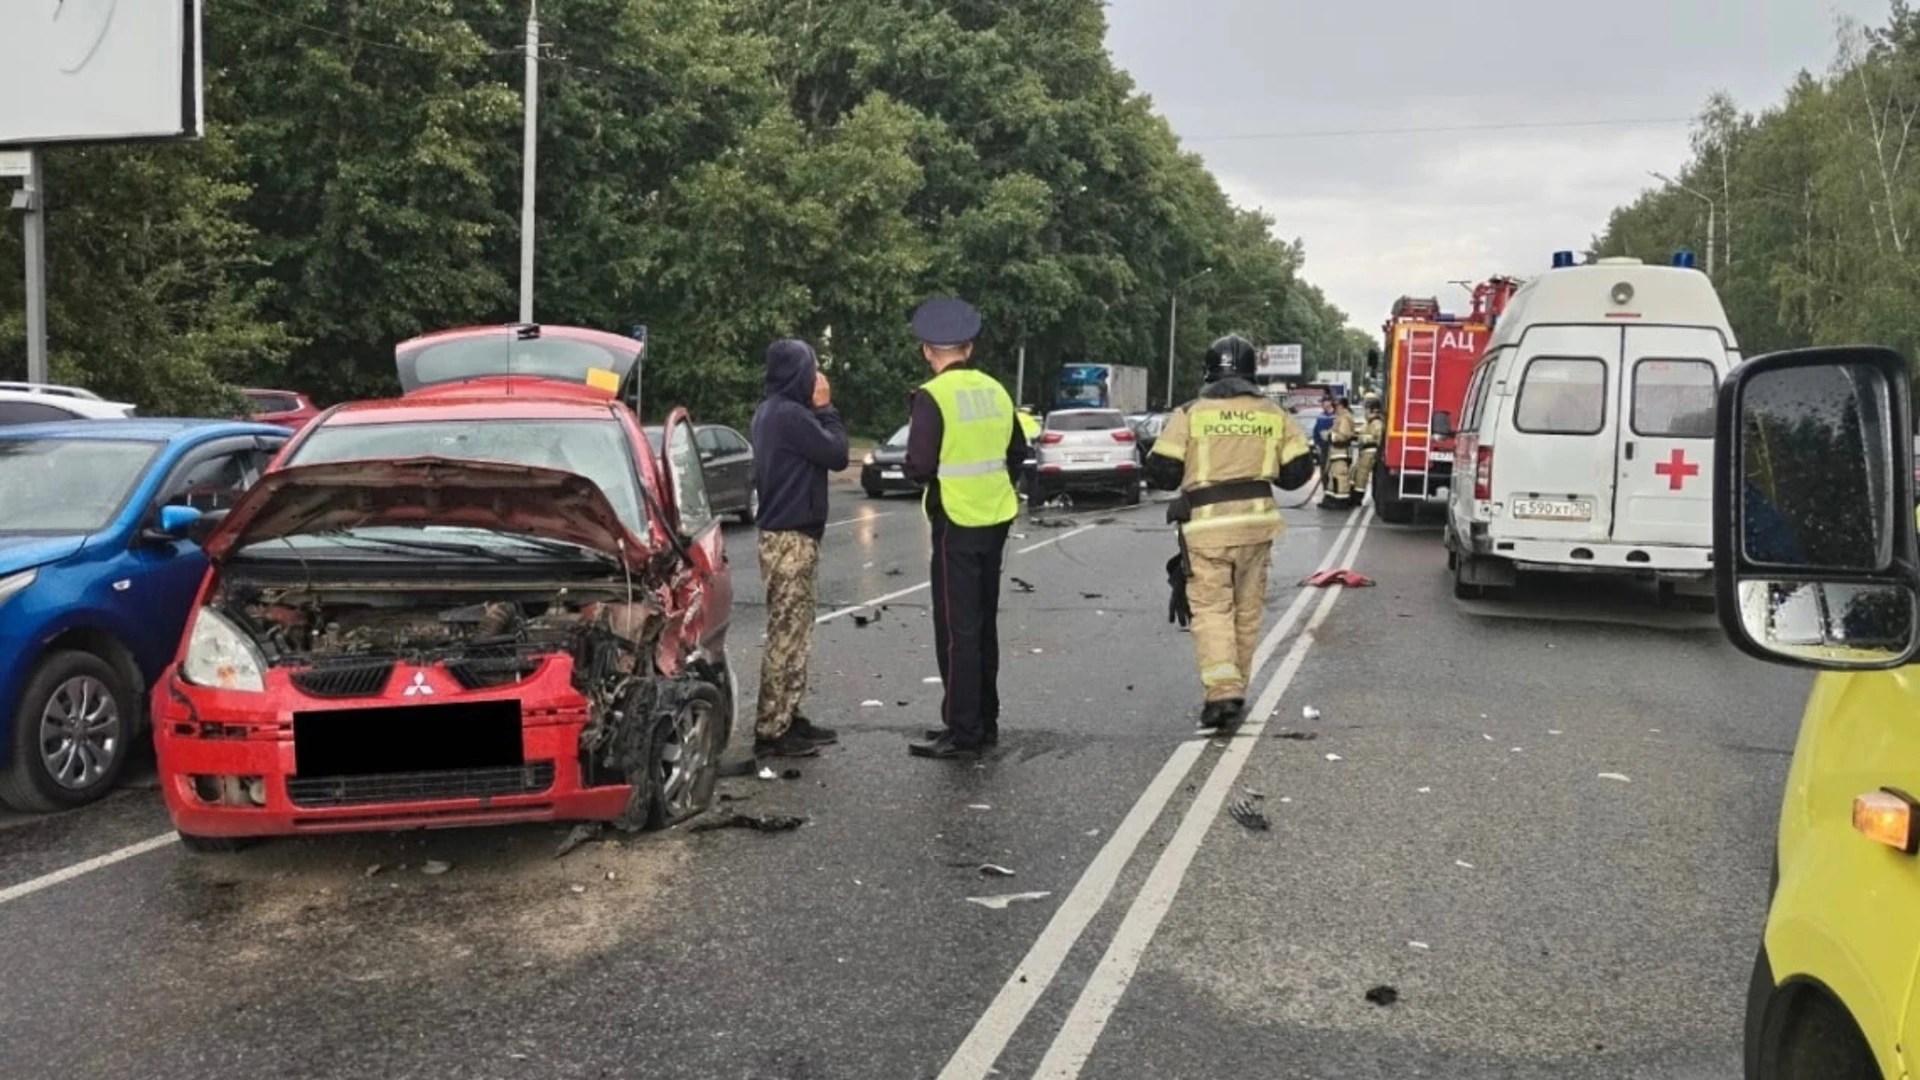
(483, 602)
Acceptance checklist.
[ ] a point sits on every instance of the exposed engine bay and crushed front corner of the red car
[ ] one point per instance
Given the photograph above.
(347, 643)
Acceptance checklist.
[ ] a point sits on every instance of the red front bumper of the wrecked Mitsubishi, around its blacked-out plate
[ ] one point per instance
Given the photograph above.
(214, 745)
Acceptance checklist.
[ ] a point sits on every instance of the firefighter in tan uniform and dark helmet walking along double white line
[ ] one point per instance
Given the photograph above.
(1224, 454)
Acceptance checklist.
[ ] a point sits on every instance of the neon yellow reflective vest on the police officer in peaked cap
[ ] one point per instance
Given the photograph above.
(978, 428)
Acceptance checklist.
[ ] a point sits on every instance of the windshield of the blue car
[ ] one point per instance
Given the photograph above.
(68, 485)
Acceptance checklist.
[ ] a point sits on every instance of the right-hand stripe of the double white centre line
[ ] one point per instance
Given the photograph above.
(1109, 983)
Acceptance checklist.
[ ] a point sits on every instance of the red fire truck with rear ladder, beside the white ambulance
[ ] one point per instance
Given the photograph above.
(1429, 362)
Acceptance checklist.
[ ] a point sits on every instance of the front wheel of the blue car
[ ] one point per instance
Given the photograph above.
(70, 683)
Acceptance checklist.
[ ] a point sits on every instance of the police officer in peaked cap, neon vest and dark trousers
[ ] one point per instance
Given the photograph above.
(967, 449)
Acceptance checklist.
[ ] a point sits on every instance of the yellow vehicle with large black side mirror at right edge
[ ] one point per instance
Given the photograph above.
(1817, 566)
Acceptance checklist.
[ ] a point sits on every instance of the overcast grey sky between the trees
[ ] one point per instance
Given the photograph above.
(1404, 214)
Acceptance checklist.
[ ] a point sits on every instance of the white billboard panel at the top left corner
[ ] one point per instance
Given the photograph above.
(99, 70)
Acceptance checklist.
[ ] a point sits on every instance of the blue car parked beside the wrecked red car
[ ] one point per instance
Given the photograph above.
(99, 568)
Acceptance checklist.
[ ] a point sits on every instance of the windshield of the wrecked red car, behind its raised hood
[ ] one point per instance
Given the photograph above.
(598, 451)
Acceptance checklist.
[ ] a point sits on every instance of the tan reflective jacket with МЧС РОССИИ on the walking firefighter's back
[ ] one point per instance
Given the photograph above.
(1232, 439)
